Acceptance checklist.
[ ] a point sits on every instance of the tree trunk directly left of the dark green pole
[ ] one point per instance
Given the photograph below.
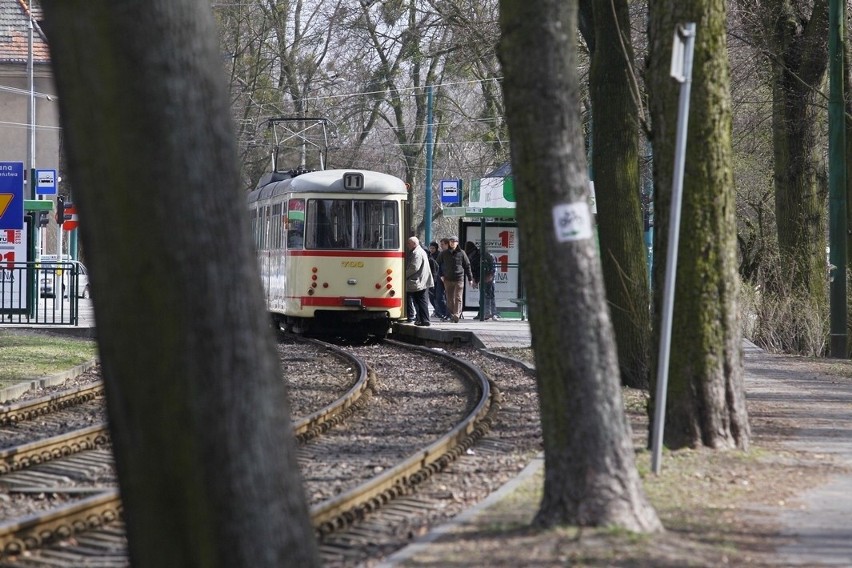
(799, 61)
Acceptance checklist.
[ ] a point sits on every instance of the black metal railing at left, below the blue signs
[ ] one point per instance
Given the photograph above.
(45, 293)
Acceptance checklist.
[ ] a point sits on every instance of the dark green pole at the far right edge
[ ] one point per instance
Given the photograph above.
(837, 179)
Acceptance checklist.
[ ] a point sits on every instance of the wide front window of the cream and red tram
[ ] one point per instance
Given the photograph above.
(352, 224)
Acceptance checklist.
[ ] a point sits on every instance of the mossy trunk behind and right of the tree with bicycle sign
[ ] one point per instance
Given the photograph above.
(615, 161)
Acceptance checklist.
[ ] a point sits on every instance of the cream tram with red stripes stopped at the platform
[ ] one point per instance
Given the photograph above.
(330, 248)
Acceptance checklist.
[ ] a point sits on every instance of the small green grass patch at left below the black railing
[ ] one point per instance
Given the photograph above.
(27, 355)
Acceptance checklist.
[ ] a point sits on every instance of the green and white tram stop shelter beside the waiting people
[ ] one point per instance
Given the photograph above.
(489, 217)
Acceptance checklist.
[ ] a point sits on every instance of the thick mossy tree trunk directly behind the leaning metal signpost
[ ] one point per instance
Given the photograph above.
(706, 396)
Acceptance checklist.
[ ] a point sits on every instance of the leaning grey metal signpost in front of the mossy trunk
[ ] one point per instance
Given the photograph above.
(681, 70)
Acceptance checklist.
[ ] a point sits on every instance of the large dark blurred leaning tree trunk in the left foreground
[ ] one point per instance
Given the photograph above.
(198, 412)
